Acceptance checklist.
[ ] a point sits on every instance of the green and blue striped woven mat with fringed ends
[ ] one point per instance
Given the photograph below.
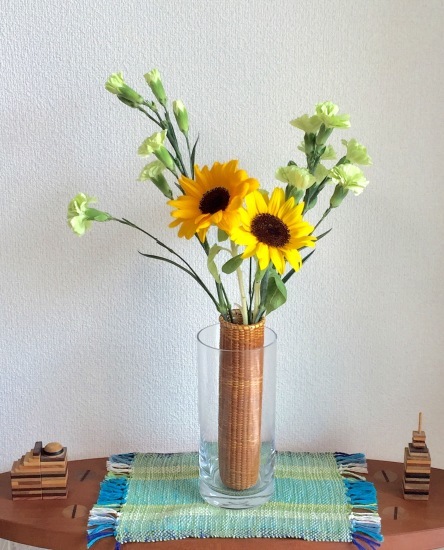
(155, 497)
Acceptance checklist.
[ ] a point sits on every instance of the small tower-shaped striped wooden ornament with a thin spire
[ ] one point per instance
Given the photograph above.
(417, 466)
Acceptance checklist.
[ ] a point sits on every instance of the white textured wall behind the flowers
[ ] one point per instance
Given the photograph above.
(97, 344)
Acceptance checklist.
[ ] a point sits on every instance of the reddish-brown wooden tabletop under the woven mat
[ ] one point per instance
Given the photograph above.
(61, 524)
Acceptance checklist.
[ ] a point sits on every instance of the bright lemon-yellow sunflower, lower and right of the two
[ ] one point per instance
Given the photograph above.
(273, 229)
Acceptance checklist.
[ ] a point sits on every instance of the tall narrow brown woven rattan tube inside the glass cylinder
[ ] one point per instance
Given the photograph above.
(240, 402)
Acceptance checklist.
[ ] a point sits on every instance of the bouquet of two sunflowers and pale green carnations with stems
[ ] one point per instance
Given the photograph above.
(259, 235)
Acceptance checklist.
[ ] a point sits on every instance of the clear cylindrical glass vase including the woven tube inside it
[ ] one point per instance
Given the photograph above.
(237, 394)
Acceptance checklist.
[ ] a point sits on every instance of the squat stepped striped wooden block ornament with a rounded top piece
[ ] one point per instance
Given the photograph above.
(41, 473)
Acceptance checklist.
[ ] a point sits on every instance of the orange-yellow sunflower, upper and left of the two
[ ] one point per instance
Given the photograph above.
(214, 197)
